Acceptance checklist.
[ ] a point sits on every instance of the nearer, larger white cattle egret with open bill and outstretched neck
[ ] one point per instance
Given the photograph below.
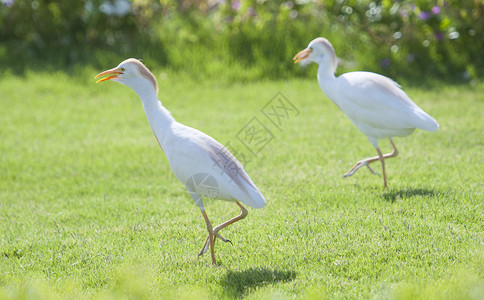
(203, 165)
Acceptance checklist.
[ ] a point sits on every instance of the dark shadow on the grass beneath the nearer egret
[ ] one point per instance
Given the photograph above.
(238, 283)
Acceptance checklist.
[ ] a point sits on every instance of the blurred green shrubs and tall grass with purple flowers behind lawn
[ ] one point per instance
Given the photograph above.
(246, 39)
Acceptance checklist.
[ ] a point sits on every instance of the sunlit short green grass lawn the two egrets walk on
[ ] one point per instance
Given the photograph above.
(90, 208)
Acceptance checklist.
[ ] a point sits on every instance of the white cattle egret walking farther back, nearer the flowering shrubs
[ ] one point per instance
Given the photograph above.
(374, 103)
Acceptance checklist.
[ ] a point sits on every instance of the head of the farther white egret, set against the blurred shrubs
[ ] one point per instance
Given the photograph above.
(319, 51)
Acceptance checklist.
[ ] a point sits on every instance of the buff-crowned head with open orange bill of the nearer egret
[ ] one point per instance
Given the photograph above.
(132, 73)
